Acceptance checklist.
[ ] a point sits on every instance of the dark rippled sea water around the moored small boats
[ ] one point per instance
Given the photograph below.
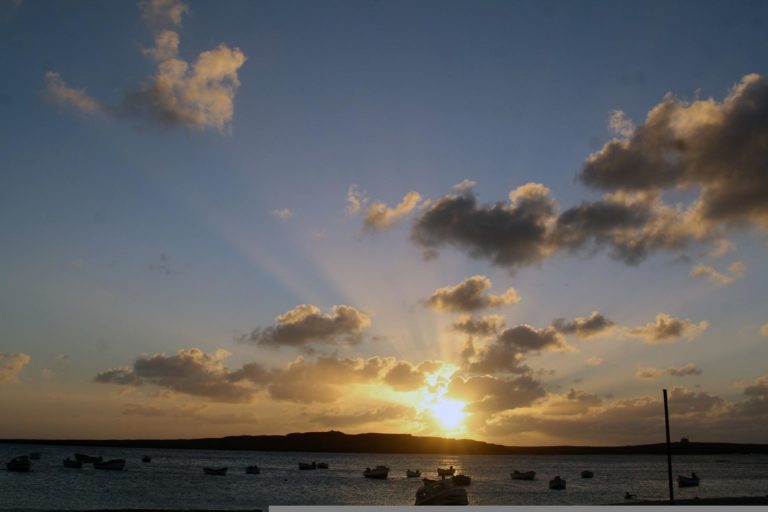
(174, 479)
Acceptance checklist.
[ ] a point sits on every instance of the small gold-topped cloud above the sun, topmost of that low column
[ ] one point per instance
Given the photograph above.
(468, 296)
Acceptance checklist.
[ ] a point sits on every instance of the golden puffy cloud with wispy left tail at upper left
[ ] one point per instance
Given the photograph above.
(199, 94)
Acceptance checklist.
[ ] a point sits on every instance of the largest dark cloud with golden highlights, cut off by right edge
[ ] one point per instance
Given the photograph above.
(718, 147)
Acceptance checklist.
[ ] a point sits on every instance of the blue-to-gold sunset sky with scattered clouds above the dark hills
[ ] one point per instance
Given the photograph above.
(511, 221)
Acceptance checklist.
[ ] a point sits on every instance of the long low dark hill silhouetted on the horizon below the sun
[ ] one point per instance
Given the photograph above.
(334, 441)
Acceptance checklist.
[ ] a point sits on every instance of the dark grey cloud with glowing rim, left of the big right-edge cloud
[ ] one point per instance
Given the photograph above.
(510, 235)
